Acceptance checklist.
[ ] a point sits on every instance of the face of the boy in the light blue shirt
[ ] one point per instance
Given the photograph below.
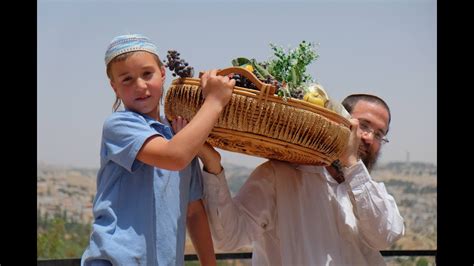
(138, 82)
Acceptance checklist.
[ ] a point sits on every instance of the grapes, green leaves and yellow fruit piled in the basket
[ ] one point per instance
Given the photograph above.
(286, 71)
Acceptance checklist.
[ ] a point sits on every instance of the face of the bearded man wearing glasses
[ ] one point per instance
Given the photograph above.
(375, 118)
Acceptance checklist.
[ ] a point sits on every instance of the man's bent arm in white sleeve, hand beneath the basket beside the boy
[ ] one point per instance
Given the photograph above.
(236, 222)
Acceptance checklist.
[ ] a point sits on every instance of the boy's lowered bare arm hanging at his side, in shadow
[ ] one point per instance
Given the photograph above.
(198, 228)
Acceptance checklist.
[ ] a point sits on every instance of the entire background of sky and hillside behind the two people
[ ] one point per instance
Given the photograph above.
(388, 48)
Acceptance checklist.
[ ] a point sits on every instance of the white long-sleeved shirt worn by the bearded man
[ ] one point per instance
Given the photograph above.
(299, 215)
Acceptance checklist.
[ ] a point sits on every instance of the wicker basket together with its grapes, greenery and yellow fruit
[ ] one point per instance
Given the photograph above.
(290, 120)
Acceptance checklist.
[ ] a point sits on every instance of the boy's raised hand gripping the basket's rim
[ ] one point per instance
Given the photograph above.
(217, 88)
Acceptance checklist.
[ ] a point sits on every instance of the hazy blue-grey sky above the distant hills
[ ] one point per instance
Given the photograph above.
(387, 48)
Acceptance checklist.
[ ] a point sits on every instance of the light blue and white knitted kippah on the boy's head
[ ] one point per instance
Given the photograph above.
(128, 43)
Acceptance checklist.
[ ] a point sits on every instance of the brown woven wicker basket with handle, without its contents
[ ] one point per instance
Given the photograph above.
(262, 124)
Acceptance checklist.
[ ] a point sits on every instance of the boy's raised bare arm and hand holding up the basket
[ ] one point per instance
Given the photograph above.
(178, 152)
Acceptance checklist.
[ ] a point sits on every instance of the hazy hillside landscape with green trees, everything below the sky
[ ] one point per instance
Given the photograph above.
(65, 195)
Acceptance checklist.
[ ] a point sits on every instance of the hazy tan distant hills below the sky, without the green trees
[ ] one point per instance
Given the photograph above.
(69, 191)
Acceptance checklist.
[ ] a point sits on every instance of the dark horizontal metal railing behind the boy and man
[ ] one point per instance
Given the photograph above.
(239, 256)
